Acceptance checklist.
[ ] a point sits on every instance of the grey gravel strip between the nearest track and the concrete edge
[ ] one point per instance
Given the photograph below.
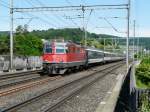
(88, 99)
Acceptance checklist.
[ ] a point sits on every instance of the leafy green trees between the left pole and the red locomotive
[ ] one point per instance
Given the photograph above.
(27, 44)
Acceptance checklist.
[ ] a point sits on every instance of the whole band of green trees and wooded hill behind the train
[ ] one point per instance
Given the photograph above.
(30, 43)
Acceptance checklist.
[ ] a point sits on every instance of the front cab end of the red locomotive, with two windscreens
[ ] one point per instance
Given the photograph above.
(54, 57)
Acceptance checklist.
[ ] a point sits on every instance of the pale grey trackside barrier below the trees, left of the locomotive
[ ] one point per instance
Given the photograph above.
(20, 62)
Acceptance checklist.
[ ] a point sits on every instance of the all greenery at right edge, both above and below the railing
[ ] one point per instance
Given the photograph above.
(143, 81)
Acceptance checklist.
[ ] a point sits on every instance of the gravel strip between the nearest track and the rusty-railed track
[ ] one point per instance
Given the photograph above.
(15, 98)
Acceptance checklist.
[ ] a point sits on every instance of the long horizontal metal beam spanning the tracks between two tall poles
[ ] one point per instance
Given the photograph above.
(72, 8)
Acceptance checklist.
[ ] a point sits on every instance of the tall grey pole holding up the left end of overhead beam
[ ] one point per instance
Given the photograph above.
(11, 35)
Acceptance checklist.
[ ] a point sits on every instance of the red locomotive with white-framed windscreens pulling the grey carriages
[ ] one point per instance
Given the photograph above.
(59, 57)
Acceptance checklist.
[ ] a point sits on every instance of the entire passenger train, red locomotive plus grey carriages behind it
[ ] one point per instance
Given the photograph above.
(59, 57)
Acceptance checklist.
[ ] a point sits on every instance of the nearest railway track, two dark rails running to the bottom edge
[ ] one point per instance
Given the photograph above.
(58, 95)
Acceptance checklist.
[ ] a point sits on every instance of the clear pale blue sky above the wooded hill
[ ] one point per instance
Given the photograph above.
(94, 19)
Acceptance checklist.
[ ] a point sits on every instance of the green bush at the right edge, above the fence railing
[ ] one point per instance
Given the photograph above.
(143, 73)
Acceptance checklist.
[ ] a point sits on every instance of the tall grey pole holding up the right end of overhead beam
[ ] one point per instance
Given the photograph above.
(128, 34)
